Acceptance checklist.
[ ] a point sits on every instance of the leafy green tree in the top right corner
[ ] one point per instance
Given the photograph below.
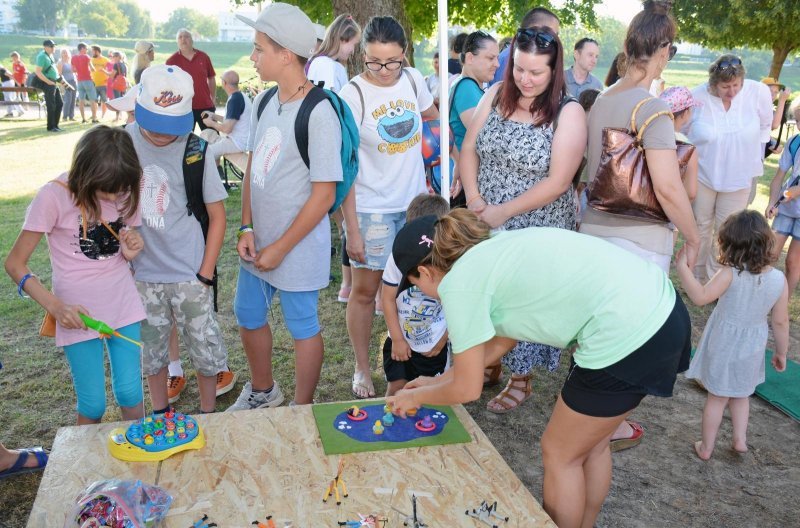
(756, 23)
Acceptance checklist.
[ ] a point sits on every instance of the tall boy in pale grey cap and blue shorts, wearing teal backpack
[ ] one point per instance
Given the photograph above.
(284, 240)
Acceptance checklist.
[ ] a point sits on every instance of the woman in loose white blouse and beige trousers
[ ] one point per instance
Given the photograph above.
(730, 131)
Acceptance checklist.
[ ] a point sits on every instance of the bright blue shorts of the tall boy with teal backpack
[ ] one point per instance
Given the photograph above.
(254, 297)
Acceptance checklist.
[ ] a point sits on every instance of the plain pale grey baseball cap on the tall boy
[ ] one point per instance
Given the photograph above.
(287, 25)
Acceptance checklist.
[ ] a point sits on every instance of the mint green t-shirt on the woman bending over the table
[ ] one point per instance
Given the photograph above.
(556, 287)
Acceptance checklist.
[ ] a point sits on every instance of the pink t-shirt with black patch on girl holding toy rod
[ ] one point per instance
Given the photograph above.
(91, 272)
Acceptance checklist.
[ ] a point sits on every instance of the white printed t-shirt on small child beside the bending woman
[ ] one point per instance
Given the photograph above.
(421, 317)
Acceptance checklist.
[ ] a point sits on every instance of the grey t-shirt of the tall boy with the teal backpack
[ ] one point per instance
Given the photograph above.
(280, 185)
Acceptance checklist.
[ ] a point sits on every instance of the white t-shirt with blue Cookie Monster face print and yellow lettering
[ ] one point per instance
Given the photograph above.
(391, 171)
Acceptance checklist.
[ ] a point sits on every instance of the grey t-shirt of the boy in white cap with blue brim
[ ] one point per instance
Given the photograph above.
(173, 240)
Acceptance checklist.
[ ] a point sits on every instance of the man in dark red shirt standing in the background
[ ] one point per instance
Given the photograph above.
(197, 64)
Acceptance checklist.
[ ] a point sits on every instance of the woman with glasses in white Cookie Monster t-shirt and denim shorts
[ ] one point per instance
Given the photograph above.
(389, 102)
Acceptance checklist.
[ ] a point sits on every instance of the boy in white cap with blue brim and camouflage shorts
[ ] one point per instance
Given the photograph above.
(175, 274)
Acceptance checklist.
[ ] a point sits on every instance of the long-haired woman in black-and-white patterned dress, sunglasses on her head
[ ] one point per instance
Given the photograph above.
(522, 149)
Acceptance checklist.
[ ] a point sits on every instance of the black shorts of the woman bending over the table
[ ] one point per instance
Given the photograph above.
(650, 369)
